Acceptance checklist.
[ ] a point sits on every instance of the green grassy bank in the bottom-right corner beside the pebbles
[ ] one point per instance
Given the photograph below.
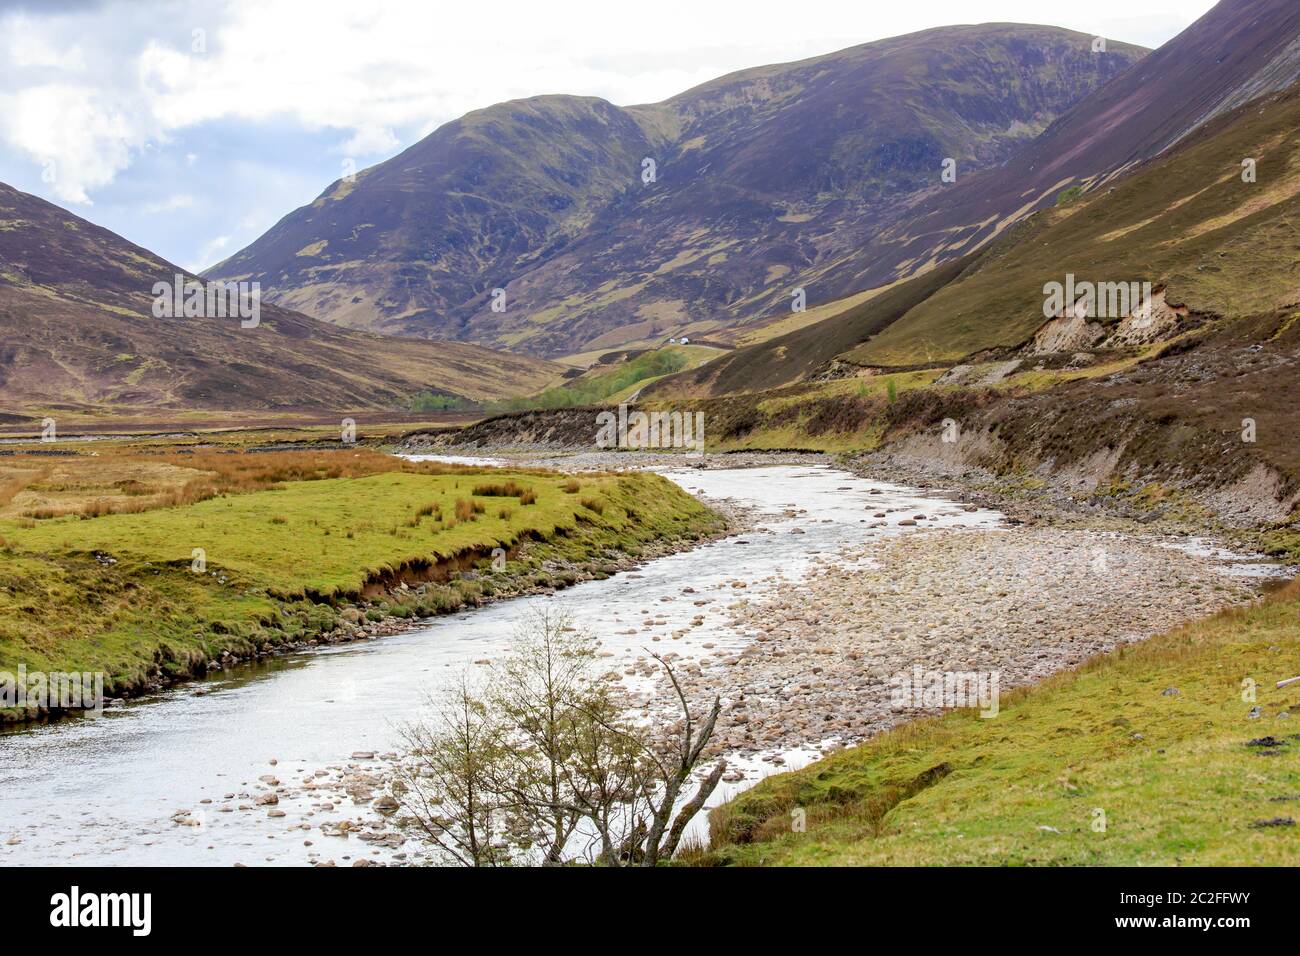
(1155, 737)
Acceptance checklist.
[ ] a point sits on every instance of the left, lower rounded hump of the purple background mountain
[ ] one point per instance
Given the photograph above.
(411, 241)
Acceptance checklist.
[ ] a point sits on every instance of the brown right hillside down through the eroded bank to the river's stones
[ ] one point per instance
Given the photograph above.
(972, 370)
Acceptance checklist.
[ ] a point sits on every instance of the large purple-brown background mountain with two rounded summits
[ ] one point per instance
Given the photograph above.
(764, 183)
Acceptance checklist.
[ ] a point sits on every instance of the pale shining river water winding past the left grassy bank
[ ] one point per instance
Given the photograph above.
(106, 791)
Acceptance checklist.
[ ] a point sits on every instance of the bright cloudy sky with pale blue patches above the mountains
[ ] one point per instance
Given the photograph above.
(192, 127)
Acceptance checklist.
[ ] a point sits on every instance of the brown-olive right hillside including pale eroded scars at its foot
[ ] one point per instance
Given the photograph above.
(1215, 249)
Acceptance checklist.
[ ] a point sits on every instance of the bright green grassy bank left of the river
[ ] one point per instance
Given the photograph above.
(294, 561)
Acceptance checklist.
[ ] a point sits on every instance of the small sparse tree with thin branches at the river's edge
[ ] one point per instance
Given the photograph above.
(553, 762)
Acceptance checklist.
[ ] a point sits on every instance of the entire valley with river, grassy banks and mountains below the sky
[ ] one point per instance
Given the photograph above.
(899, 448)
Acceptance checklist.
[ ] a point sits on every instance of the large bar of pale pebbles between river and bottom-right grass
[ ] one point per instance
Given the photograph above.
(1022, 603)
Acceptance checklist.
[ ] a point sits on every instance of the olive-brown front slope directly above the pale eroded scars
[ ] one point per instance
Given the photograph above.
(1188, 223)
